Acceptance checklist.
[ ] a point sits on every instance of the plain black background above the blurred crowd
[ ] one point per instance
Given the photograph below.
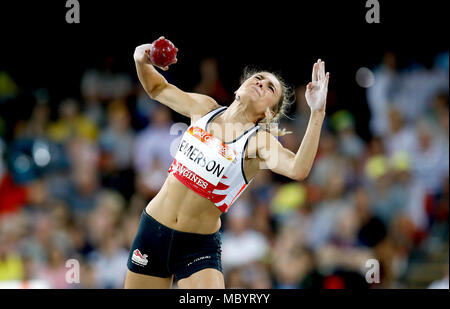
(39, 49)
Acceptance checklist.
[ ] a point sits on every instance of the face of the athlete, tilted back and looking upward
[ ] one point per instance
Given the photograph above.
(260, 91)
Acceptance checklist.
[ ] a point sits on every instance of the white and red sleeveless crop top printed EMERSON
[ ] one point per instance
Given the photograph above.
(210, 167)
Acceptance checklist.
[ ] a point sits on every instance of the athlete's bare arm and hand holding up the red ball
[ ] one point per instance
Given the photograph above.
(157, 87)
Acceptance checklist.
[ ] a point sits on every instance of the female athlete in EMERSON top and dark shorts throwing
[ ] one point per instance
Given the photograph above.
(217, 158)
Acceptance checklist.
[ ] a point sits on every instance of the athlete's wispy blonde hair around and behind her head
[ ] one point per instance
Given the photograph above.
(286, 99)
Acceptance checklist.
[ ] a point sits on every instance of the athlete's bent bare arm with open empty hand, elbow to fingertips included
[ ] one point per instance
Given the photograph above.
(298, 165)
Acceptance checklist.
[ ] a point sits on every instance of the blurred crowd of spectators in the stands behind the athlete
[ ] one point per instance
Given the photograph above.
(75, 176)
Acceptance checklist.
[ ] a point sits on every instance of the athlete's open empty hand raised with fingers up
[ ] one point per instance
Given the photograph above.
(317, 89)
